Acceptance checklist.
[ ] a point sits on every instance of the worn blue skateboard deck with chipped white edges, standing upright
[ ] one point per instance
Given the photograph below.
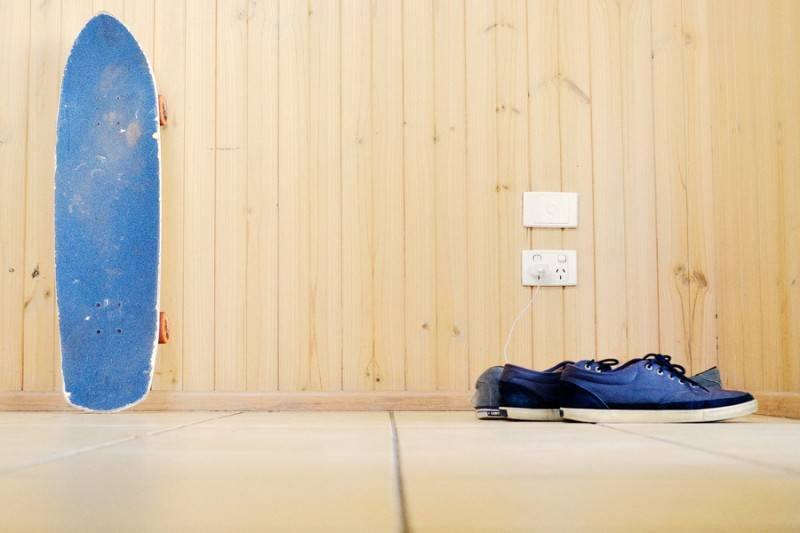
(107, 219)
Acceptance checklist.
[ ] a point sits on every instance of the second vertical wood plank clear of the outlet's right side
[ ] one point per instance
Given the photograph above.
(639, 182)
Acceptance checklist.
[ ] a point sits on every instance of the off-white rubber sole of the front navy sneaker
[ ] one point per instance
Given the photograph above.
(613, 416)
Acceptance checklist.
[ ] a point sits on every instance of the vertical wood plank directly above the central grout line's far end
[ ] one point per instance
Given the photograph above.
(388, 195)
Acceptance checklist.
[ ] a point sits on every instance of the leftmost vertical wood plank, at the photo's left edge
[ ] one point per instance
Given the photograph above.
(14, 50)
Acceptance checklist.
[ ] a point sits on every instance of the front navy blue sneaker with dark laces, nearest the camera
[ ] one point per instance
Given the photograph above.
(651, 389)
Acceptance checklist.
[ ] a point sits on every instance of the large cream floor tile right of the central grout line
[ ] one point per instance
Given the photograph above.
(464, 475)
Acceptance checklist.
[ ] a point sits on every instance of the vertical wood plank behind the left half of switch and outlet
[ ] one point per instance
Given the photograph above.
(544, 152)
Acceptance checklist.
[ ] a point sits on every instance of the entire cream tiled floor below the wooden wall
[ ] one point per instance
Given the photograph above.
(413, 471)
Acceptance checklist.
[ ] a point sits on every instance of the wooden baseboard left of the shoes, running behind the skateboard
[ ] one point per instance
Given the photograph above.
(259, 401)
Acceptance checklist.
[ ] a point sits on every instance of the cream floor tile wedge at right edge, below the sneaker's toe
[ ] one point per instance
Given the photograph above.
(765, 440)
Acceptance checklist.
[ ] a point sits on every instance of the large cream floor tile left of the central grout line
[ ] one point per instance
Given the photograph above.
(249, 472)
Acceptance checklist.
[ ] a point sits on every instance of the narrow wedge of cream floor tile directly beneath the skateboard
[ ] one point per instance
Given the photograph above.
(30, 438)
